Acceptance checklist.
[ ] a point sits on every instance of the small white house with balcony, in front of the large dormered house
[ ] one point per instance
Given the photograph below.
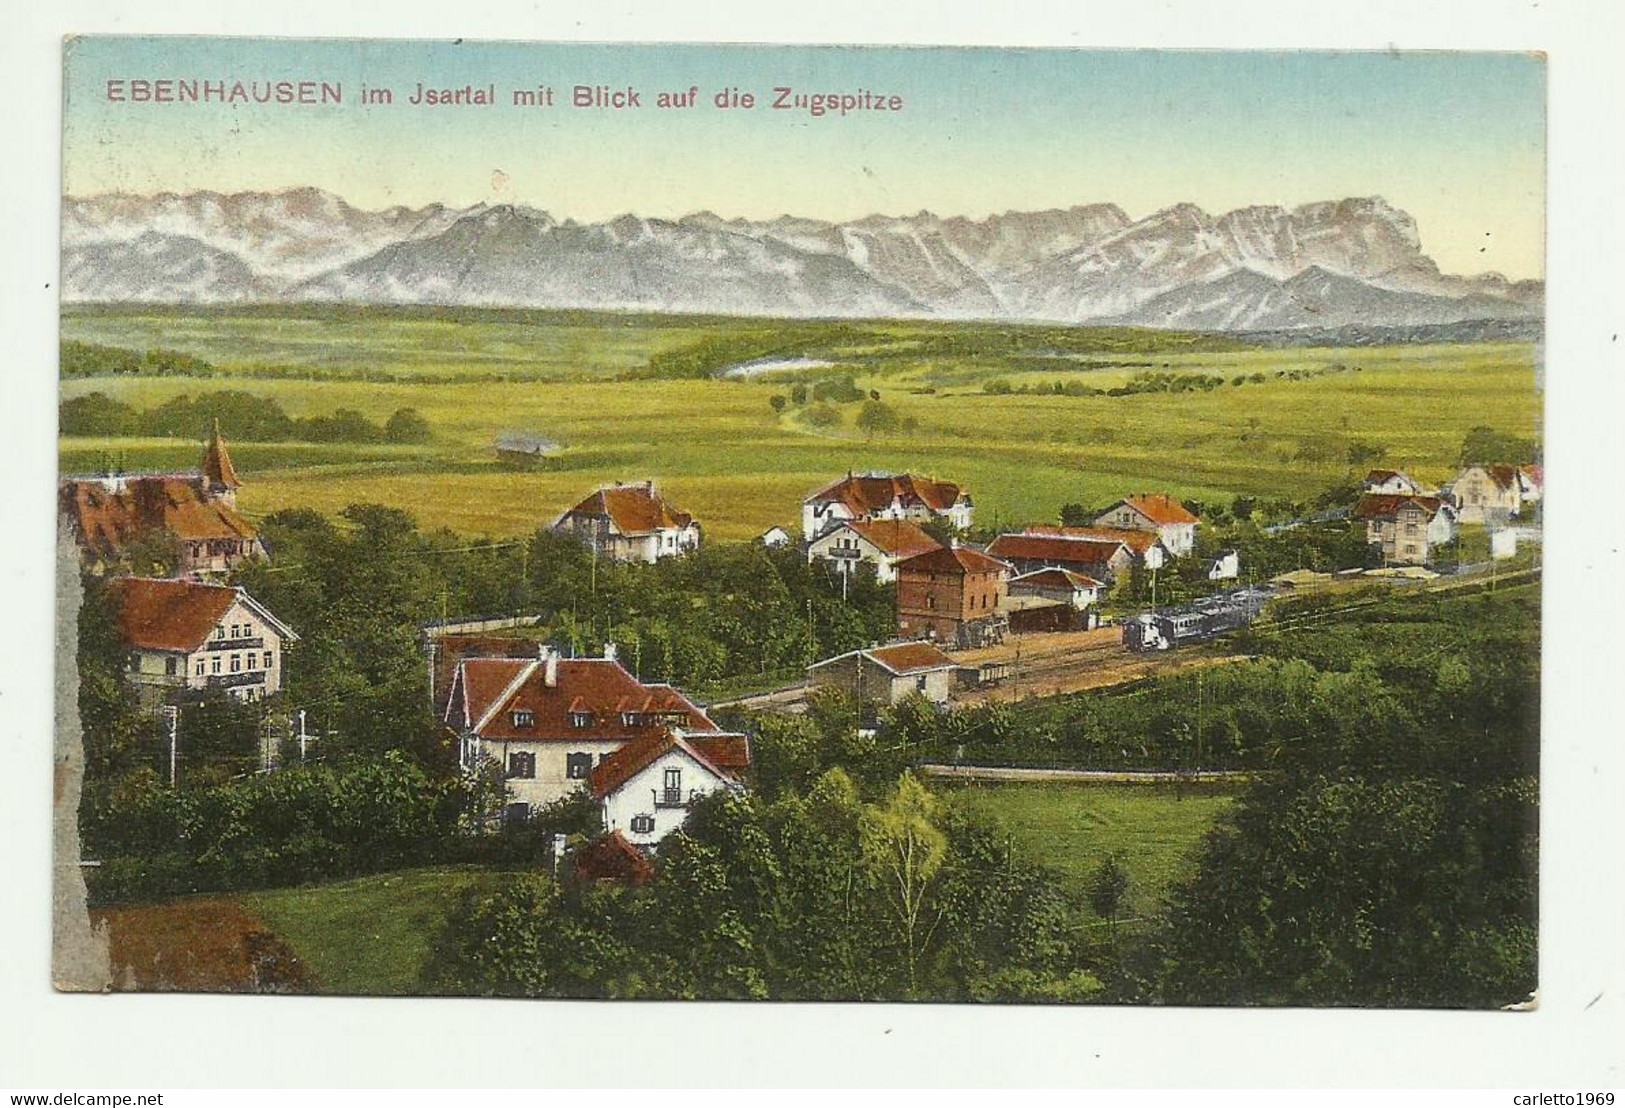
(646, 789)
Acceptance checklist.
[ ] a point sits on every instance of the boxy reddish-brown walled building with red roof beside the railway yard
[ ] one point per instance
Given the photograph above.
(953, 595)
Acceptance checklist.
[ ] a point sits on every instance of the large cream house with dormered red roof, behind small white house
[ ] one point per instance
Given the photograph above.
(548, 721)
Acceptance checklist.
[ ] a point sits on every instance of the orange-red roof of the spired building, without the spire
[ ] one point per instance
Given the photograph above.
(110, 519)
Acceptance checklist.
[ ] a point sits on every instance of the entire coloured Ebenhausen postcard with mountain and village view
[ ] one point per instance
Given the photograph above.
(800, 524)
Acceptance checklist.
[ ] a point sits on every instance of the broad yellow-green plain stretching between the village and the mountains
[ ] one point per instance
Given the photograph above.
(724, 454)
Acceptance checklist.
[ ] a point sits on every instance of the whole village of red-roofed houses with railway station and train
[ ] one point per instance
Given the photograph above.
(1039, 610)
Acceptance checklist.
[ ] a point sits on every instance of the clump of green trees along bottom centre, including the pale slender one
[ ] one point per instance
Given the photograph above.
(810, 896)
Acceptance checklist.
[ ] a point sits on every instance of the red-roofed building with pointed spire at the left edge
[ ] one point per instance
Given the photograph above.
(197, 513)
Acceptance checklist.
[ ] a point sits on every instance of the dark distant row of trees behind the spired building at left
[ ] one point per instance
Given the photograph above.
(241, 417)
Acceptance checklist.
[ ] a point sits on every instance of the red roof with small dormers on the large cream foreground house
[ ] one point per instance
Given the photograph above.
(490, 691)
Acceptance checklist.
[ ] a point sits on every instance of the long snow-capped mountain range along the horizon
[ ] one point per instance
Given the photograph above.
(1346, 262)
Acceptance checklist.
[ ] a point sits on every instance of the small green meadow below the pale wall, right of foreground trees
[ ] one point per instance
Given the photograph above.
(1073, 828)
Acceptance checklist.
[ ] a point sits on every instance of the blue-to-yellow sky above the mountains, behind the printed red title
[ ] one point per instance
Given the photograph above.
(1458, 141)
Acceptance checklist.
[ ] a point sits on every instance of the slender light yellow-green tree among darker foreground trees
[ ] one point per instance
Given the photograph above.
(904, 849)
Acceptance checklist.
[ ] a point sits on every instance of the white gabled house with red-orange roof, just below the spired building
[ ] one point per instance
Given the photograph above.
(193, 638)
